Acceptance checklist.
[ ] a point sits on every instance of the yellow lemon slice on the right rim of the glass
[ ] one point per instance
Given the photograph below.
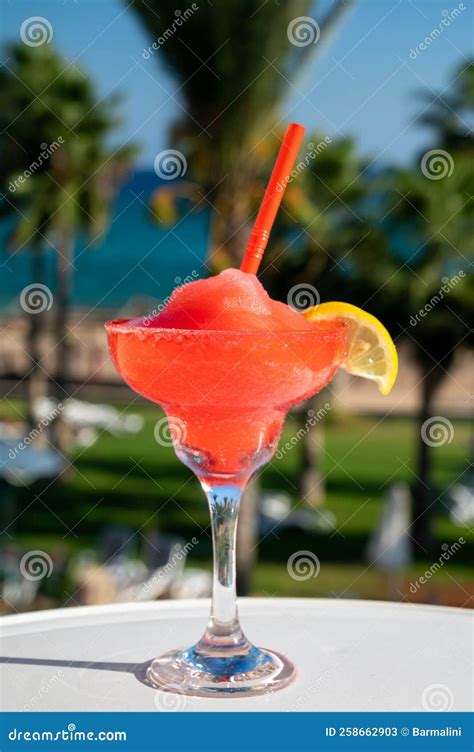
(370, 351)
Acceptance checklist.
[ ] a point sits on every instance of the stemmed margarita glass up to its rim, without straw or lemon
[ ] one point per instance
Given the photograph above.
(226, 395)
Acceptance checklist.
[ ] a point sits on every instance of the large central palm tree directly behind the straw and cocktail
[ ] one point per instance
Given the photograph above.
(233, 64)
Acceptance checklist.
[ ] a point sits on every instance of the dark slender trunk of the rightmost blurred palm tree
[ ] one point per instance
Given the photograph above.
(423, 507)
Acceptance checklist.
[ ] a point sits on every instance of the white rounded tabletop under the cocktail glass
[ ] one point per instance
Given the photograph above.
(351, 656)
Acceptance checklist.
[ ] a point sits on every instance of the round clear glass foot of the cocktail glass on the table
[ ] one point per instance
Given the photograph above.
(191, 672)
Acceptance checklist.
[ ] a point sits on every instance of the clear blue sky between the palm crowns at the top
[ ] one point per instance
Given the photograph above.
(364, 84)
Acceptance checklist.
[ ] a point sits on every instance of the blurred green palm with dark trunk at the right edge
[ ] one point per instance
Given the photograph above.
(429, 295)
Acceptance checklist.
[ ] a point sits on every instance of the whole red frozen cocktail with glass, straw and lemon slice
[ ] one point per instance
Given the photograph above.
(226, 363)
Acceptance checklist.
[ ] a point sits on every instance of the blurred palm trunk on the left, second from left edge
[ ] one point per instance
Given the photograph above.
(62, 300)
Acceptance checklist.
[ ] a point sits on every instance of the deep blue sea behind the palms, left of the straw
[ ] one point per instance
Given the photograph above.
(137, 260)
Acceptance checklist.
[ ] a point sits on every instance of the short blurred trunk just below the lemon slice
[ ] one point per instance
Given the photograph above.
(311, 485)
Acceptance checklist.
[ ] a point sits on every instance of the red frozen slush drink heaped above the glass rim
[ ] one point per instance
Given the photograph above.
(226, 363)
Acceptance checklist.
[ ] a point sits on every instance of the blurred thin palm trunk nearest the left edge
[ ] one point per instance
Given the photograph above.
(36, 383)
